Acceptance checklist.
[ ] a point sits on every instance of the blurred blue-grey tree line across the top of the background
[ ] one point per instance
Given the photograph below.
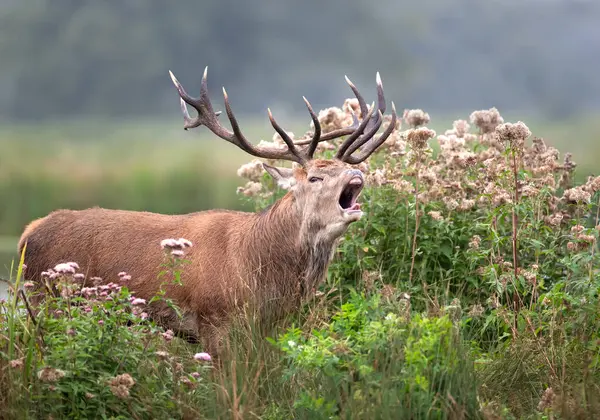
(74, 58)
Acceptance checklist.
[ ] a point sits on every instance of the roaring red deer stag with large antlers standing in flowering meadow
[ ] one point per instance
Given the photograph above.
(271, 259)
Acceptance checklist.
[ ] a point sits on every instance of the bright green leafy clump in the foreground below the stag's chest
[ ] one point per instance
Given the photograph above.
(370, 362)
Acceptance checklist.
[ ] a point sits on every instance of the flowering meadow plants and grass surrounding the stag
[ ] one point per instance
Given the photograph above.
(469, 289)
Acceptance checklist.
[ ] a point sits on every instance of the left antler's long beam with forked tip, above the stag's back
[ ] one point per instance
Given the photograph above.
(206, 116)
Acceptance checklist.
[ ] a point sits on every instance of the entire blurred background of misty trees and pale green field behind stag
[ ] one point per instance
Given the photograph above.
(88, 115)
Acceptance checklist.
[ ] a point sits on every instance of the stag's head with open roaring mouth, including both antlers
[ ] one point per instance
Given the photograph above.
(324, 191)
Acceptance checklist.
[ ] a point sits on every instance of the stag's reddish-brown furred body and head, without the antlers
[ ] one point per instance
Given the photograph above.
(268, 260)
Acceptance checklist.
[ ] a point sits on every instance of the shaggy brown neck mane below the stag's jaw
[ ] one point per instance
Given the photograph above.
(284, 248)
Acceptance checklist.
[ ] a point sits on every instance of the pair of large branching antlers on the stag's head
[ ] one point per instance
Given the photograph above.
(371, 123)
